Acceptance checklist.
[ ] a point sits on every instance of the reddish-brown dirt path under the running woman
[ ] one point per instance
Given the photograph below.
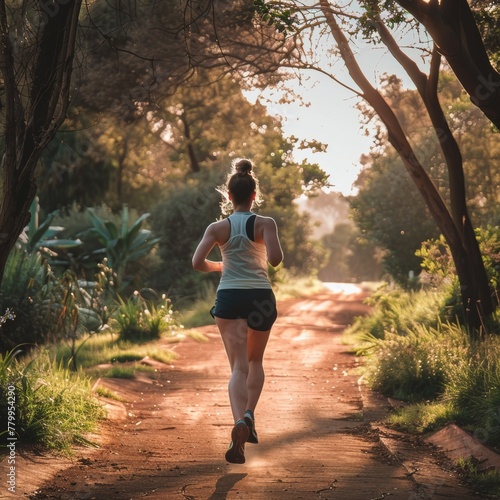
(318, 431)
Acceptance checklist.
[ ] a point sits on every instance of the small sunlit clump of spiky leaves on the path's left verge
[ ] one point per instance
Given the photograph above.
(140, 319)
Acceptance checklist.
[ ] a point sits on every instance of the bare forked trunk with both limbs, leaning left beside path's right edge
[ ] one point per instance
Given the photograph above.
(453, 221)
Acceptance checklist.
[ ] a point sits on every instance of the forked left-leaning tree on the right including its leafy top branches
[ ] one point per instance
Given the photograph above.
(314, 28)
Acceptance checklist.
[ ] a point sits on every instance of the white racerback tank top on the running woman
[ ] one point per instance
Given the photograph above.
(244, 261)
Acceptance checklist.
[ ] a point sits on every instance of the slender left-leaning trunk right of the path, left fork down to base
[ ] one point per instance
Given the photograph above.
(476, 297)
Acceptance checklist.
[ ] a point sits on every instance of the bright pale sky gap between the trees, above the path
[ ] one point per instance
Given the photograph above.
(331, 116)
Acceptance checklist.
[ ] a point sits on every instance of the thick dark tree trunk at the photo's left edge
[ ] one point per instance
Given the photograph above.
(34, 110)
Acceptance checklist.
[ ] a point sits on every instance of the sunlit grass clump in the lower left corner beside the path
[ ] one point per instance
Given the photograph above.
(54, 408)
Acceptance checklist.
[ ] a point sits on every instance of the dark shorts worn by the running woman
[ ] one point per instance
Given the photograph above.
(256, 305)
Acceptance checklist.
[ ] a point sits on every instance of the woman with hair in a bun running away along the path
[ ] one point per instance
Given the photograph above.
(245, 306)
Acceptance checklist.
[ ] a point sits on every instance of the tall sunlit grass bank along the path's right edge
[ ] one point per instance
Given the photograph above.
(447, 373)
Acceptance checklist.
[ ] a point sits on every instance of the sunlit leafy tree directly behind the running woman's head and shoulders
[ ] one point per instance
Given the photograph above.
(228, 127)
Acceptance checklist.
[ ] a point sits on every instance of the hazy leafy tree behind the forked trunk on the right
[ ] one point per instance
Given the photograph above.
(389, 209)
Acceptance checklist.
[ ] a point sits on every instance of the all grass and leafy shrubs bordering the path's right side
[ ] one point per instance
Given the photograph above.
(418, 349)
